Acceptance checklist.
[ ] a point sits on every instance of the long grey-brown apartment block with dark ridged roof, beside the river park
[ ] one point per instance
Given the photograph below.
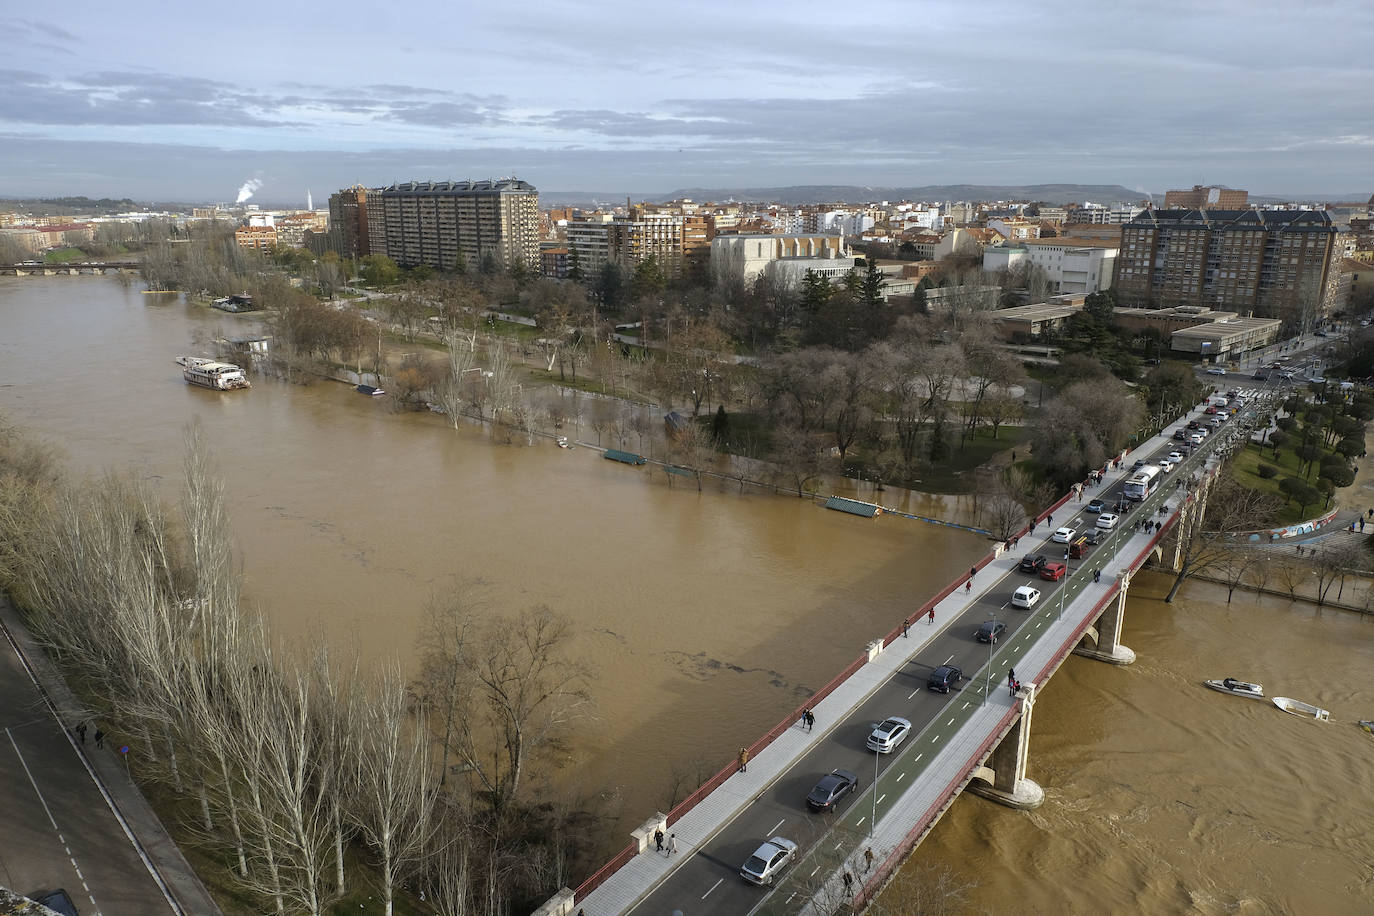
(446, 223)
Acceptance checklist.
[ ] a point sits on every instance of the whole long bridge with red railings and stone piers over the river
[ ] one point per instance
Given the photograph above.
(978, 737)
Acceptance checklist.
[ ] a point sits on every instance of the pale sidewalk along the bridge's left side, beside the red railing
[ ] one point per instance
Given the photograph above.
(695, 830)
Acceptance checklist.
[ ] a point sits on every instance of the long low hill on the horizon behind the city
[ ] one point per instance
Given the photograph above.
(854, 194)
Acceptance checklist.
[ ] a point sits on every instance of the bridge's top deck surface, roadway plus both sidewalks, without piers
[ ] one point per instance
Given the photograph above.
(719, 834)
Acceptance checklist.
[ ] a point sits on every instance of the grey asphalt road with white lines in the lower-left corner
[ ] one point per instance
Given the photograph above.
(58, 830)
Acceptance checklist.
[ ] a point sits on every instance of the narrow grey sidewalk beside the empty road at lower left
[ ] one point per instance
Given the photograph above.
(139, 818)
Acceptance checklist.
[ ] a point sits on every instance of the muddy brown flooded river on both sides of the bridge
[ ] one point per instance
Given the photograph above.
(711, 616)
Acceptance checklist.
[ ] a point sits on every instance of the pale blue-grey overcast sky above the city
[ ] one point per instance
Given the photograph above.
(159, 101)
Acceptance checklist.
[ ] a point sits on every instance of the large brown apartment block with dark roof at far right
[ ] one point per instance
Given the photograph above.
(1272, 263)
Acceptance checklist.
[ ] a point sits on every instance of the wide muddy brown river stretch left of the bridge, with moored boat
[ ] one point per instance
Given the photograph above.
(707, 616)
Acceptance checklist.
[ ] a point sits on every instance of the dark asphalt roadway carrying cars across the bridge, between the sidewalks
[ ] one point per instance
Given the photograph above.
(708, 881)
